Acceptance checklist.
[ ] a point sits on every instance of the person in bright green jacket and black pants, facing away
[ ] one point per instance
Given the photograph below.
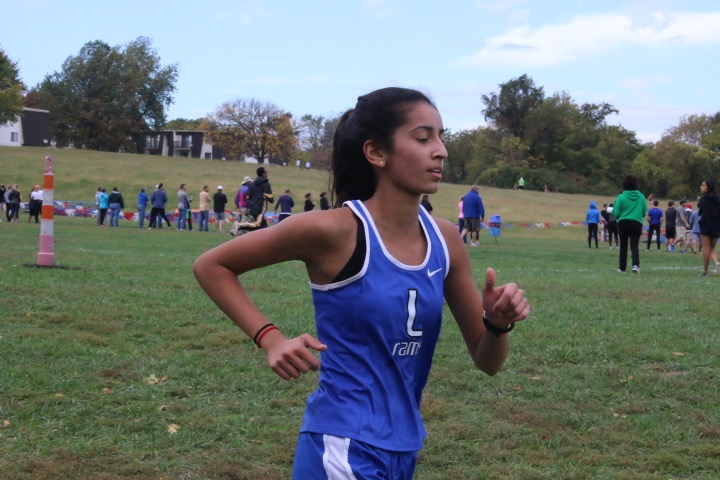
(630, 209)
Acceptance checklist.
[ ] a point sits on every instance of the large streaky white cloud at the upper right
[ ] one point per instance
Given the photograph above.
(592, 34)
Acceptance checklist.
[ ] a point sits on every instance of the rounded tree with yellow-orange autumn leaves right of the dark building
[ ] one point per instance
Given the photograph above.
(248, 127)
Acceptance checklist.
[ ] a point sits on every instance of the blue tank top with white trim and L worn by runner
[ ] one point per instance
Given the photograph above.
(381, 327)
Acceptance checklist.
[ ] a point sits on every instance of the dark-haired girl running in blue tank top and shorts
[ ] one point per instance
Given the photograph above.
(380, 269)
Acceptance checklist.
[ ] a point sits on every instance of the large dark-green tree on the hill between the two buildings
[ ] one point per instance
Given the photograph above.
(108, 98)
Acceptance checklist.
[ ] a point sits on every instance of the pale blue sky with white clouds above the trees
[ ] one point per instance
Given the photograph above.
(654, 60)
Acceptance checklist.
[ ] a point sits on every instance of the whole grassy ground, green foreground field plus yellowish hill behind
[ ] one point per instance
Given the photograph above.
(118, 366)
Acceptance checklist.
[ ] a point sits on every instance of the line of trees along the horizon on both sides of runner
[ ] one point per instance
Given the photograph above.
(111, 97)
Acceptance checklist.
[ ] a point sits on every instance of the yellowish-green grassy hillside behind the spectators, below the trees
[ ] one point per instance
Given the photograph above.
(78, 173)
